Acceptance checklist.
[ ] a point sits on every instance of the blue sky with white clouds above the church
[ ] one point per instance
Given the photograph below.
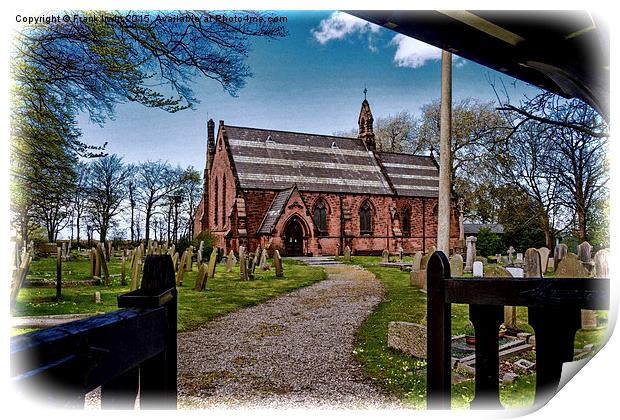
(311, 81)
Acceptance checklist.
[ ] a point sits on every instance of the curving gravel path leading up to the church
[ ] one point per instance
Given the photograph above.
(294, 351)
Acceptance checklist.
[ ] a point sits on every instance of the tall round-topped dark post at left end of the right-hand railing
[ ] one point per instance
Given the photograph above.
(439, 334)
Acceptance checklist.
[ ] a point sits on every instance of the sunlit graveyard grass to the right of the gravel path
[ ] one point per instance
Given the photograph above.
(404, 375)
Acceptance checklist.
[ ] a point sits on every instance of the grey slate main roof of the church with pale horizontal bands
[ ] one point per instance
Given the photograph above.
(275, 160)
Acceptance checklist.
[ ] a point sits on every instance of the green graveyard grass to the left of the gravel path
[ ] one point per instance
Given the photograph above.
(224, 294)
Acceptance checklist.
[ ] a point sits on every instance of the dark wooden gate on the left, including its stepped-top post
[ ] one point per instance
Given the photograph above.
(131, 352)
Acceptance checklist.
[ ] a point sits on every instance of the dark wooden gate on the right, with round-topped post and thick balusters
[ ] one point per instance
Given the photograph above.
(554, 311)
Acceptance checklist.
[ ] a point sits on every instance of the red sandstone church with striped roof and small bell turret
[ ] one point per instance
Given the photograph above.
(311, 194)
